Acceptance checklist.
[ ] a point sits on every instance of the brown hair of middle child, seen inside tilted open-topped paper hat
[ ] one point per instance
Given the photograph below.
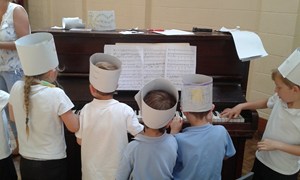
(160, 100)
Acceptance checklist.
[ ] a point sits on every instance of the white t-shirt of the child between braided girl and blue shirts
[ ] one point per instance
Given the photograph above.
(103, 132)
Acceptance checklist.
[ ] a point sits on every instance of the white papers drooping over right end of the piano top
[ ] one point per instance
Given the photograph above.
(248, 44)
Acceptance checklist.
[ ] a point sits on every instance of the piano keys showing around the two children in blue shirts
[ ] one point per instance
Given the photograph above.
(216, 117)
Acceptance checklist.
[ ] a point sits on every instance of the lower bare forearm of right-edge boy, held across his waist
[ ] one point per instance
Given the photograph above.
(271, 145)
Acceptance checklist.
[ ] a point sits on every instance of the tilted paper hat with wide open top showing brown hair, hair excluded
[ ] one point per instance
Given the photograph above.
(154, 118)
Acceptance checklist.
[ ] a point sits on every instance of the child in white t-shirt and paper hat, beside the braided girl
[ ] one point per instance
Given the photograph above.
(104, 122)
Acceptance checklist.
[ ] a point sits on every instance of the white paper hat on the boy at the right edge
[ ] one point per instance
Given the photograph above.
(290, 68)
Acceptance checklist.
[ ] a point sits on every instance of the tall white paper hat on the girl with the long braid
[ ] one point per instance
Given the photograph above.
(37, 53)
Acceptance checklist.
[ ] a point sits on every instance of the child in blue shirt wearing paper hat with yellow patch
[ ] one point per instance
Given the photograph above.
(202, 147)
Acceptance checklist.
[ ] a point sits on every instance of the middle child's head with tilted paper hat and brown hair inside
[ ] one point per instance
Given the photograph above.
(157, 101)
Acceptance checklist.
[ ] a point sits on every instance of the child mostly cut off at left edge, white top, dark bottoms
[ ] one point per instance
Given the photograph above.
(7, 168)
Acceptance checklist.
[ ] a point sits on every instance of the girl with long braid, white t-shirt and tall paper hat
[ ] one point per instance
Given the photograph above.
(40, 110)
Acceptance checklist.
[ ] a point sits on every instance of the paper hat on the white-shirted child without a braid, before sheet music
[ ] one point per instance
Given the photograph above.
(104, 80)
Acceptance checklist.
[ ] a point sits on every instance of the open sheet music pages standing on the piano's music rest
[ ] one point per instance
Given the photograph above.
(142, 63)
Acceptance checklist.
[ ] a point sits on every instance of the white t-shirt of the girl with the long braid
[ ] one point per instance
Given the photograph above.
(46, 138)
